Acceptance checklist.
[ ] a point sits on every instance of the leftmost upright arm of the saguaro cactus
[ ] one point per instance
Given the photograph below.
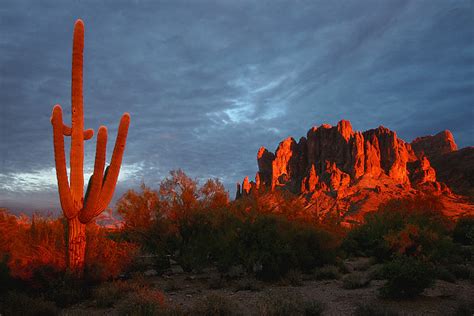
(60, 159)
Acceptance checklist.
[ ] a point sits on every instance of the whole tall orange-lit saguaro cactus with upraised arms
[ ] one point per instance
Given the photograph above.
(80, 210)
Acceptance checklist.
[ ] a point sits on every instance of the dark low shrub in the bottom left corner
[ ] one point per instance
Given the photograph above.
(16, 303)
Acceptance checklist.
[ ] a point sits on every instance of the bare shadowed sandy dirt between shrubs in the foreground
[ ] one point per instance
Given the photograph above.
(185, 290)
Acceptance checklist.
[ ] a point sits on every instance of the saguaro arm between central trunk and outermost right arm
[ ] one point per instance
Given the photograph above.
(95, 185)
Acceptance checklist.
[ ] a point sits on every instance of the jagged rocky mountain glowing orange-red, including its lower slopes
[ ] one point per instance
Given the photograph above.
(335, 168)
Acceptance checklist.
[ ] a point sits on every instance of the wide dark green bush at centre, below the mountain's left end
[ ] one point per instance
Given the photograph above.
(267, 246)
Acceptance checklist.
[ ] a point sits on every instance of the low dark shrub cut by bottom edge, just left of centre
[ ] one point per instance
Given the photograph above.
(214, 305)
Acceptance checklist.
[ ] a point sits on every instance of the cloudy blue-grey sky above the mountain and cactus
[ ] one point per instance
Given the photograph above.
(208, 82)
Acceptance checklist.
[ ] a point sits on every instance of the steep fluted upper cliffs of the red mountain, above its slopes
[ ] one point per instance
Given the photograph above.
(340, 157)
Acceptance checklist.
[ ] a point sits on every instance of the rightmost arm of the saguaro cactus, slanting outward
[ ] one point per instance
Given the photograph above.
(110, 179)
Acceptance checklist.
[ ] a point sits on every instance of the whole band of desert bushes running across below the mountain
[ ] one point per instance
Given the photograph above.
(186, 226)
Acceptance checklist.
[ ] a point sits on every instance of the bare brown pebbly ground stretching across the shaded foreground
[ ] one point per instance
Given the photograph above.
(247, 296)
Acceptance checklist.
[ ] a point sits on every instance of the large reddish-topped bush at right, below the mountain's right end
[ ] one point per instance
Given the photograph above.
(410, 226)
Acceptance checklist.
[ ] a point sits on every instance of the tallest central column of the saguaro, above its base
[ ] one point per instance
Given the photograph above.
(77, 116)
